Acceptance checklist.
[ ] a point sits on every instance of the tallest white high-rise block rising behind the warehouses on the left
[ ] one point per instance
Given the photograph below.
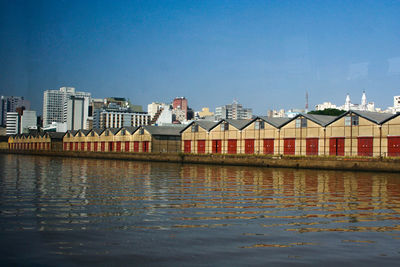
(64, 105)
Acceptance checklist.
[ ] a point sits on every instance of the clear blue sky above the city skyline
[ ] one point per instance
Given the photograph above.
(266, 54)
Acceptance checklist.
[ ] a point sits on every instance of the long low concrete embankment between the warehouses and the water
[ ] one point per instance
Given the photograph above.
(300, 162)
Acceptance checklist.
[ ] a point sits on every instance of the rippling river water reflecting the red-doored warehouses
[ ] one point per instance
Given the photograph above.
(66, 211)
